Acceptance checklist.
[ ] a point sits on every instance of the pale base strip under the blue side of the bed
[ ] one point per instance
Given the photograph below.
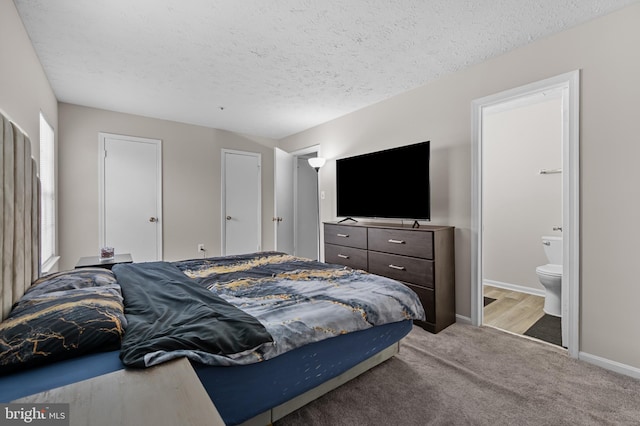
(278, 412)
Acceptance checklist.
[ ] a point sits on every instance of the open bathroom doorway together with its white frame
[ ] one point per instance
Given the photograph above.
(525, 195)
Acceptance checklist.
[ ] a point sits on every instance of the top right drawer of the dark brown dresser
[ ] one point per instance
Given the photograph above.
(402, 241)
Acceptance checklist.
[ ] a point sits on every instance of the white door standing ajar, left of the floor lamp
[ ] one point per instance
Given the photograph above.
(284, 216)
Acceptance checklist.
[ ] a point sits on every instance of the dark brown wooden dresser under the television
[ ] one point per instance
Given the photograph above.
(422, 258)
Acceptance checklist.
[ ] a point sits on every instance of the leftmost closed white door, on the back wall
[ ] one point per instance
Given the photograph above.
(131, 196)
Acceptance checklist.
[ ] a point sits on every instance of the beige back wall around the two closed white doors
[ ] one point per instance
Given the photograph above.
(191, 164)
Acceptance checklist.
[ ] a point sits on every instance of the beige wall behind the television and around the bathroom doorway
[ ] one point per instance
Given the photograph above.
(606, 50)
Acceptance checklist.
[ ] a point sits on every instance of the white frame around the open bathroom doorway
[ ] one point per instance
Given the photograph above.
(569, 85)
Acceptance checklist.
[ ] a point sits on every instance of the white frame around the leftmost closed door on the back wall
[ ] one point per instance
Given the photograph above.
(102, 136)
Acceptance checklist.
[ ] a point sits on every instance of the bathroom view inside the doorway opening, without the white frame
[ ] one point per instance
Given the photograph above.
(522, 194)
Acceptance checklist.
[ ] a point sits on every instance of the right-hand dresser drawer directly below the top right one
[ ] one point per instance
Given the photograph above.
(402, 268)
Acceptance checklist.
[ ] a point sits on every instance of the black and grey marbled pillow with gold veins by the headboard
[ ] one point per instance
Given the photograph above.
(62, 316)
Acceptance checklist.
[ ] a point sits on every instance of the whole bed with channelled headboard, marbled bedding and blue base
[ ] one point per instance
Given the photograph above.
(265, 332)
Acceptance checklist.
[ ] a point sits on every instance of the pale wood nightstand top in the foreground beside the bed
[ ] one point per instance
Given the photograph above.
(167, 394)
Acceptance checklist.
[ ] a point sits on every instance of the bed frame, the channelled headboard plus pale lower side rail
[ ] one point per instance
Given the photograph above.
(20, 254)
